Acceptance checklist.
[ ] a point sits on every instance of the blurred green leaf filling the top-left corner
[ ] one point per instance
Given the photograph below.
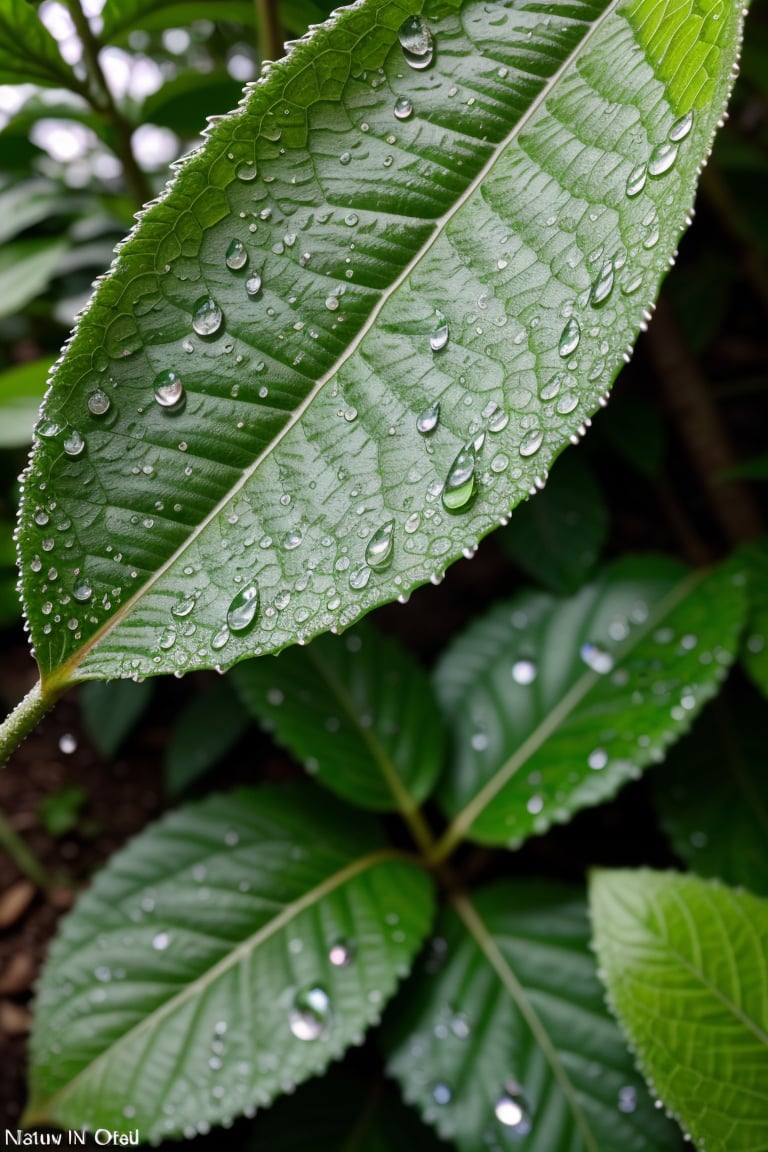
(28, 52)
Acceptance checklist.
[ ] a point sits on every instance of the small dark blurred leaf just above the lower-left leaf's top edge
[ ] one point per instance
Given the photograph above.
(210, 725)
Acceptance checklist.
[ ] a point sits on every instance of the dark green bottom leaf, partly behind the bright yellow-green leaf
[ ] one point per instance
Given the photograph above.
(505, 1041)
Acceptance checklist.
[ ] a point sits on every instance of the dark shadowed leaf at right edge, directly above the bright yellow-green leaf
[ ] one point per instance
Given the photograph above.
(713, 794)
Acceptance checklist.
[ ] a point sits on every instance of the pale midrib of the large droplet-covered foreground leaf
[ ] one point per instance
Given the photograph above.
(65, 673)
